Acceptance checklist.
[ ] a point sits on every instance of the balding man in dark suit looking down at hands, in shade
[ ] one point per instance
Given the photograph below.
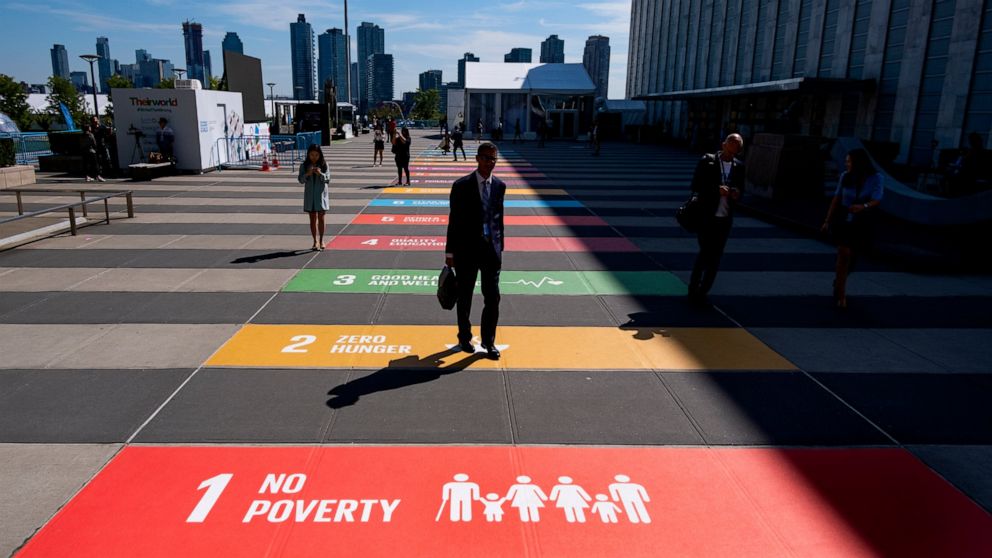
(719, 183)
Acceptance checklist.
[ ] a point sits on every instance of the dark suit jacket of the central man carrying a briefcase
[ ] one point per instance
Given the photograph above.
(465, 217)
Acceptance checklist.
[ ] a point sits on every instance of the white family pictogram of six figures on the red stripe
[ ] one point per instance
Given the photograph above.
(460, 496)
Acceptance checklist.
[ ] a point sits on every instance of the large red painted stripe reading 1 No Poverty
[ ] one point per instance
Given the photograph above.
(700, 502)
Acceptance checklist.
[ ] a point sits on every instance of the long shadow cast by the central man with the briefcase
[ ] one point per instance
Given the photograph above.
(400, 373)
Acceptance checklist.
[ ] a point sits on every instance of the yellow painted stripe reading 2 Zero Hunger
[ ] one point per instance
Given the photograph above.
(523, 348)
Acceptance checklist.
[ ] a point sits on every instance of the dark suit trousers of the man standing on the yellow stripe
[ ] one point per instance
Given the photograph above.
(468, 267)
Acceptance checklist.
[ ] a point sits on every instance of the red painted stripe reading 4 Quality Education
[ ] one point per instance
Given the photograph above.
(513, 243)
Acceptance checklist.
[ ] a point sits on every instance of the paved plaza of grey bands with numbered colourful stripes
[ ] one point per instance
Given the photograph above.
(196, 381)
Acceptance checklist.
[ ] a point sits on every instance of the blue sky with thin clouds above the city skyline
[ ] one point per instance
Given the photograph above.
(420, 34)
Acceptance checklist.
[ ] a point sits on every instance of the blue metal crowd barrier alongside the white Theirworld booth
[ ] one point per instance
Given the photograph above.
(251, 152)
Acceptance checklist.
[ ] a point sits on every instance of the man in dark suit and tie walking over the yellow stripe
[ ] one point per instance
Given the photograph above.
(474, 246)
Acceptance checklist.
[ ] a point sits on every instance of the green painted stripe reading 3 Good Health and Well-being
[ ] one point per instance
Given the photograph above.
(423, 281)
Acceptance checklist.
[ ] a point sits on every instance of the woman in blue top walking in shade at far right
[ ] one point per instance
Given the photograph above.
(850, 217)
